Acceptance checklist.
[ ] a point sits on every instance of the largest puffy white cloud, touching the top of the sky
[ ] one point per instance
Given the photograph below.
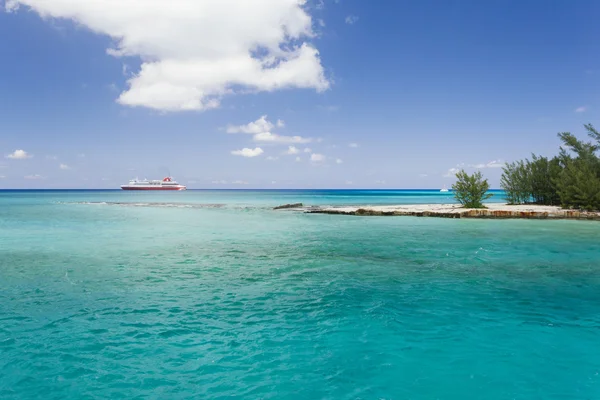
(194, 52)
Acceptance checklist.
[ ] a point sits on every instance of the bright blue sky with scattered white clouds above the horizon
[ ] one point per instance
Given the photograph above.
(289, 93)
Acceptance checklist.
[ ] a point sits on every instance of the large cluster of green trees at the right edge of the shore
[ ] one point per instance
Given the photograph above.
(570, 179)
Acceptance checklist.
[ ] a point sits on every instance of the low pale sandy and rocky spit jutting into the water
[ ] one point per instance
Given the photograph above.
(493, 211)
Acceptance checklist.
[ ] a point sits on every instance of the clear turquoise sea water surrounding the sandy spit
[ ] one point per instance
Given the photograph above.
(212, 295)
